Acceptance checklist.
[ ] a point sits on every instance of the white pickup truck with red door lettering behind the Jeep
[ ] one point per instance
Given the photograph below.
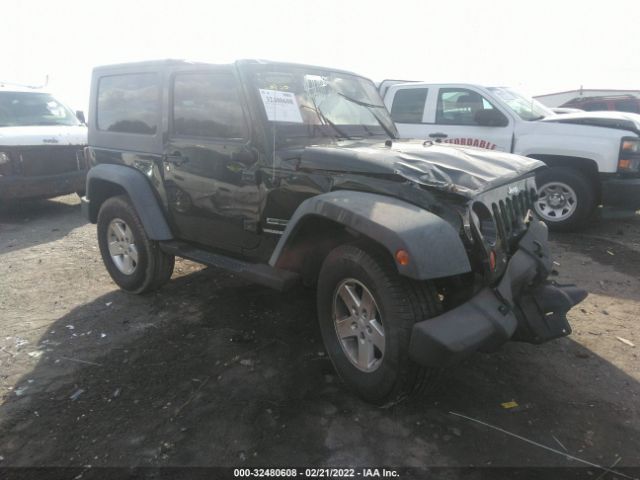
(594, 157)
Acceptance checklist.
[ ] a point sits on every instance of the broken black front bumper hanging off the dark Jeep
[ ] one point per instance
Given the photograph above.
(524, 306)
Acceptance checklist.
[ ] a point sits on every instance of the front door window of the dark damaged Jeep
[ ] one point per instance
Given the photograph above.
(207, 105)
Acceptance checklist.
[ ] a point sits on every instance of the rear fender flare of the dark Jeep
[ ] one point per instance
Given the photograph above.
(137, 187)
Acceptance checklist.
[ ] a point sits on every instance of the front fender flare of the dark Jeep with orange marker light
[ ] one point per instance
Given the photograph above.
(434, 246)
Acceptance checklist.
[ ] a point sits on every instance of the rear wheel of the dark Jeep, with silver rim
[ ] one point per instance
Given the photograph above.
(134, 262)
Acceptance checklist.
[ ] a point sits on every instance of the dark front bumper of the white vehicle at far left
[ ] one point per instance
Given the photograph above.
(15, 187)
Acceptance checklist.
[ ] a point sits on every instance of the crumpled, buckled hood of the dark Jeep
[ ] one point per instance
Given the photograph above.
(463, 170)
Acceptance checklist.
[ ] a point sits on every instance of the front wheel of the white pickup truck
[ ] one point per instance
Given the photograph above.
(565, 198)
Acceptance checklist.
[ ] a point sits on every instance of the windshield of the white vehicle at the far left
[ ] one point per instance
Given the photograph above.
(21, 109)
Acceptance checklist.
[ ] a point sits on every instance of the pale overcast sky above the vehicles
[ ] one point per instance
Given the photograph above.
(537, 46)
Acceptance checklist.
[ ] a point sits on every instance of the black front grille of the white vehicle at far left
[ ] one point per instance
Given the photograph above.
(49, 160)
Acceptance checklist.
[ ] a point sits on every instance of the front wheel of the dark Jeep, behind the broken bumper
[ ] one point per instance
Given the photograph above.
(366, 312)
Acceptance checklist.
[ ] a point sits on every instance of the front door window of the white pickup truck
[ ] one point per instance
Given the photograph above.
(459, 106)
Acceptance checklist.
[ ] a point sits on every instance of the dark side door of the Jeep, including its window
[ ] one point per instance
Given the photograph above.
(212, 195)
